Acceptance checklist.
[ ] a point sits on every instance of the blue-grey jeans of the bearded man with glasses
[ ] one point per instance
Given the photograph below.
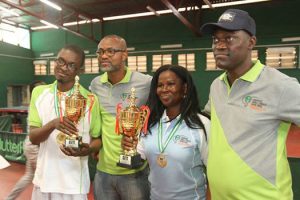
(122, 187)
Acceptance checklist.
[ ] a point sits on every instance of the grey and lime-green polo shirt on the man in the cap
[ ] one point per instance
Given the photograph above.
(249, 124)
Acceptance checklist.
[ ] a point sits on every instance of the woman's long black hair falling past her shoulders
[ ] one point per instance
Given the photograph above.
(189, 106)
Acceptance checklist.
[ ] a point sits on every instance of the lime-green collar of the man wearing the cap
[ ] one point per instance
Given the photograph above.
(250, 75)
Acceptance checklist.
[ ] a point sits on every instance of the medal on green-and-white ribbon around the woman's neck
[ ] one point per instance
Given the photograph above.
(161, 159)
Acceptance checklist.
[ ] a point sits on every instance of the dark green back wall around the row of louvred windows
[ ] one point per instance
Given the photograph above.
(149, 33)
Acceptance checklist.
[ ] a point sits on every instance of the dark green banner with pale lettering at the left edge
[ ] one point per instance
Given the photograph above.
(11, 146)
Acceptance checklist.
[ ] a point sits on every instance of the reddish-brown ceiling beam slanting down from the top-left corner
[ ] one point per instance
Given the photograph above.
(42, 18)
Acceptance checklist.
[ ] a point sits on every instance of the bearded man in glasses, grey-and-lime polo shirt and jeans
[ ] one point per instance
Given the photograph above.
(111, 181)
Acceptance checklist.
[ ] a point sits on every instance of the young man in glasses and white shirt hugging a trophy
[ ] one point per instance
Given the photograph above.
(62, 172)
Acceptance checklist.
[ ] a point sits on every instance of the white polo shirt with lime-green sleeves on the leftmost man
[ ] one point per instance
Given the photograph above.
(55, 171)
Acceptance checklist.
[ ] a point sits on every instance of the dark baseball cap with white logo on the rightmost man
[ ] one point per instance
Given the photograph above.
(231, 20)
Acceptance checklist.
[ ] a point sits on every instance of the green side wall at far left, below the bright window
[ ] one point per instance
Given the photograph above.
(16, 68)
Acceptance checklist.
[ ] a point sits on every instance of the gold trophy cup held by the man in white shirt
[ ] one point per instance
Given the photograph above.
(74, 109)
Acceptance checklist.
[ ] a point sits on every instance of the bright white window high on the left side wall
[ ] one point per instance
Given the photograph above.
(15, 35)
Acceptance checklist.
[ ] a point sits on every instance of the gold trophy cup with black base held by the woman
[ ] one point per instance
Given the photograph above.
(130, 122)
